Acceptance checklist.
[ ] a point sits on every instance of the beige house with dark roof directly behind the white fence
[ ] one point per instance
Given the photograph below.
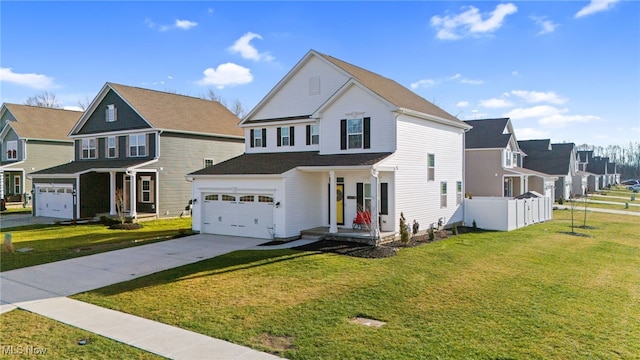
(493, 164)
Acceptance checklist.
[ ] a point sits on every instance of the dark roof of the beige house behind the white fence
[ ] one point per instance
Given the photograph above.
(487, 134)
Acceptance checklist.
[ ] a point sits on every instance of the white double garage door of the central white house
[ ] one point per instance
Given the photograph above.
(249, 215)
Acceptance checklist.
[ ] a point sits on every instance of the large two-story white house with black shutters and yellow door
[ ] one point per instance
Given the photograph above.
(331, 138)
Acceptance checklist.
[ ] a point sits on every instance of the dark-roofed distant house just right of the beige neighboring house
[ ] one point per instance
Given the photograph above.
(558, 160)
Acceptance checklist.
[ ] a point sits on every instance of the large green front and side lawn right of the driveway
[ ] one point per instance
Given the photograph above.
(534, 293)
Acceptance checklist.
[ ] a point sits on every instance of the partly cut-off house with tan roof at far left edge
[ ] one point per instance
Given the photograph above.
(32, 138)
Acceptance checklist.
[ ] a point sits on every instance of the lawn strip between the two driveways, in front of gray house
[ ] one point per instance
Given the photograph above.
(60, 242)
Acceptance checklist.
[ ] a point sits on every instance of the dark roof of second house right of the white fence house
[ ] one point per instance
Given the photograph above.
(556, 161)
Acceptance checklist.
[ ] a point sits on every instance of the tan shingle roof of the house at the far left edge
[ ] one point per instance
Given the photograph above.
(34, 122)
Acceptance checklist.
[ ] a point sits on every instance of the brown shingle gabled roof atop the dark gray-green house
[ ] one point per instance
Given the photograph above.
(172, 112)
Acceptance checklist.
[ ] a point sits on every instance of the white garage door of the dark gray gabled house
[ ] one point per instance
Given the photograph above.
(54, 201)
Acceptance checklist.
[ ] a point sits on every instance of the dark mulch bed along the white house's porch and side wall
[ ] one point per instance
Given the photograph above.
(373, 252)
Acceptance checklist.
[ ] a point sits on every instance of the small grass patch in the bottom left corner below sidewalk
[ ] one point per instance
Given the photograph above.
(31, 336)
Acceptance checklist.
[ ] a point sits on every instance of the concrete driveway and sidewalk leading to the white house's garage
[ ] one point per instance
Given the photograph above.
(42, 289)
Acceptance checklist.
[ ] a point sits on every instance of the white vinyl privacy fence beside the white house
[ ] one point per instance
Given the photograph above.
(506, 214)
